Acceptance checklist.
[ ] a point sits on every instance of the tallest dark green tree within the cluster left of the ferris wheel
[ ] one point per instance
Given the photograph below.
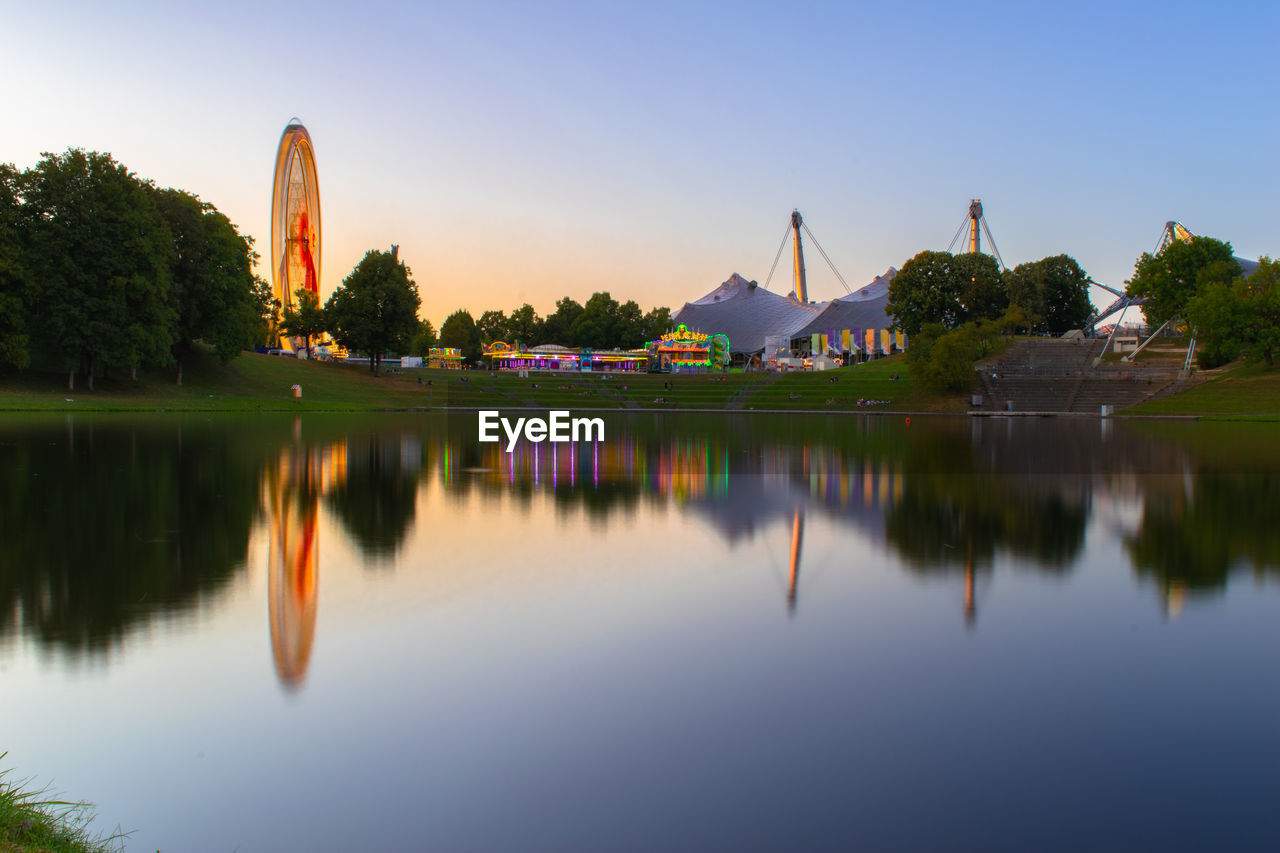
(100, 253)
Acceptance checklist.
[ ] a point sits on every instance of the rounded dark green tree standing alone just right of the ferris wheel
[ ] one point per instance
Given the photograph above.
(376, 308)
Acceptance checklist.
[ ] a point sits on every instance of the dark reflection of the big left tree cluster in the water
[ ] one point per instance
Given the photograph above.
(107, 526)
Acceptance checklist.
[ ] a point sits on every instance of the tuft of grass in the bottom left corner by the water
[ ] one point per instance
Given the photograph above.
(30, 823)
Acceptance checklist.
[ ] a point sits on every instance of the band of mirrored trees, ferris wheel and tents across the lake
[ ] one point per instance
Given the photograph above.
(108, 526)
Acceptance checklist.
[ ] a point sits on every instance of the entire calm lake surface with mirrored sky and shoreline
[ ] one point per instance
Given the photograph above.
(721, 633)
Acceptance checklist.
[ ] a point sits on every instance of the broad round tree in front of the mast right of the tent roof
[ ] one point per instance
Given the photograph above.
(945, 289)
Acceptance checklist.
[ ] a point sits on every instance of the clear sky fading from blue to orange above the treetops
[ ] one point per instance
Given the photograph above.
(522, 153)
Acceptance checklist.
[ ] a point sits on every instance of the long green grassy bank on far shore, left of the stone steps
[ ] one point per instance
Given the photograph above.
(263, 384)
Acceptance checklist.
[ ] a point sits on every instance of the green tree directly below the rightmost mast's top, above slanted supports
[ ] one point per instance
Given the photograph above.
(1173, 277)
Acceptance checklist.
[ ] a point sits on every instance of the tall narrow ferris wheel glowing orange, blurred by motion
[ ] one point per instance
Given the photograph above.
(295, 217)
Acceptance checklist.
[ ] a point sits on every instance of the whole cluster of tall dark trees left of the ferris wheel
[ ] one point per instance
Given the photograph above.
(102, 270)
